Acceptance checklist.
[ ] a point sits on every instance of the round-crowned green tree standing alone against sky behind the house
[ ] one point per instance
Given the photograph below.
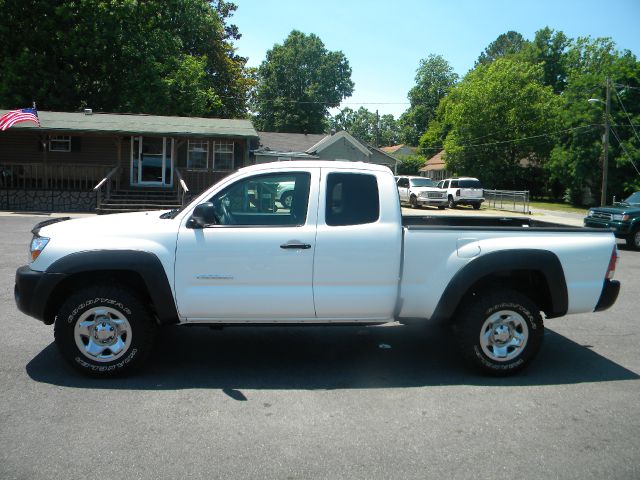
(297, 84)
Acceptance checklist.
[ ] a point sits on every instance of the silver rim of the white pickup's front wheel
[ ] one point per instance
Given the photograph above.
(103, 334)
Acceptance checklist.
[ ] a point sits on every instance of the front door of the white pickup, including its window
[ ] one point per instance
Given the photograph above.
(254, 262)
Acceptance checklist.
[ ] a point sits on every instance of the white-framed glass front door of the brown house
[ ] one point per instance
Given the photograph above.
(152, 161)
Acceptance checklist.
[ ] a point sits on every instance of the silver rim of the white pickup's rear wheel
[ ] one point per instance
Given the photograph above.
(504, 335)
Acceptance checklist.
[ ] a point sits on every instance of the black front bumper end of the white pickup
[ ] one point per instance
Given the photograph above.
(32, 291)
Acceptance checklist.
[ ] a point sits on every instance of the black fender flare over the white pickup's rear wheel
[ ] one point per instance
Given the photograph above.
(543, 261)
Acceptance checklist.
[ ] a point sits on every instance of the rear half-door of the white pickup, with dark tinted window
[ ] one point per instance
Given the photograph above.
(358, 249)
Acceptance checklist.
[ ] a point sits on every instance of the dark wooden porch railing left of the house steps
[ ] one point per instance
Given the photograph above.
(51, 176)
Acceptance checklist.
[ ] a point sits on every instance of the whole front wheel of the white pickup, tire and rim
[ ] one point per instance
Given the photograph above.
(117, 335)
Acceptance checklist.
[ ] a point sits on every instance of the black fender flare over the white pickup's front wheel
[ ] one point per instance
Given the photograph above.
(145, 264)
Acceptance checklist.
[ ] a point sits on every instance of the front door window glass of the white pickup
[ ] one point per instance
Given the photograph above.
(275, 199)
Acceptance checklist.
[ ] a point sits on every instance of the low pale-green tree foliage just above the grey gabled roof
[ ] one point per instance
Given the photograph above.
(366, 126)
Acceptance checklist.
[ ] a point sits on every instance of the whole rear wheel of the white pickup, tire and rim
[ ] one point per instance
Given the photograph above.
(499, 331)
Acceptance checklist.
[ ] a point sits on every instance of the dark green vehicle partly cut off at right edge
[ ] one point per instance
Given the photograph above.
(621, 217)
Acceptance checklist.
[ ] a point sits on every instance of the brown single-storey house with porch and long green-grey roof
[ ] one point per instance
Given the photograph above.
(84, 160)
